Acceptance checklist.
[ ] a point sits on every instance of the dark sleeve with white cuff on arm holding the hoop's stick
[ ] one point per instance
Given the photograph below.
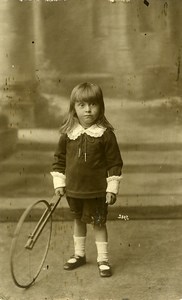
(59, 164)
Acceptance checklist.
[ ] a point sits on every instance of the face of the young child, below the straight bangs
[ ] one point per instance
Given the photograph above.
(87, 113)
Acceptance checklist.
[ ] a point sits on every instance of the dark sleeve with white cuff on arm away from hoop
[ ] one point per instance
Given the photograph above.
(114, 162)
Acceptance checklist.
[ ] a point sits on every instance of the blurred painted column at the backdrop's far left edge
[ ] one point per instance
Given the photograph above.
(17, 79)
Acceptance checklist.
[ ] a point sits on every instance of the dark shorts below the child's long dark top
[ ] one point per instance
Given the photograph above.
(90, 211)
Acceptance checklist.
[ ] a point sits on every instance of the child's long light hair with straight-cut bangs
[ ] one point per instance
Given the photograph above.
(90, 93)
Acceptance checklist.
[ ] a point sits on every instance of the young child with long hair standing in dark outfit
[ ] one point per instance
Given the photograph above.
(87, 168)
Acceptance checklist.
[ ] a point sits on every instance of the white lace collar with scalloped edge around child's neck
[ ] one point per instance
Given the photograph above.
(93, 131)
